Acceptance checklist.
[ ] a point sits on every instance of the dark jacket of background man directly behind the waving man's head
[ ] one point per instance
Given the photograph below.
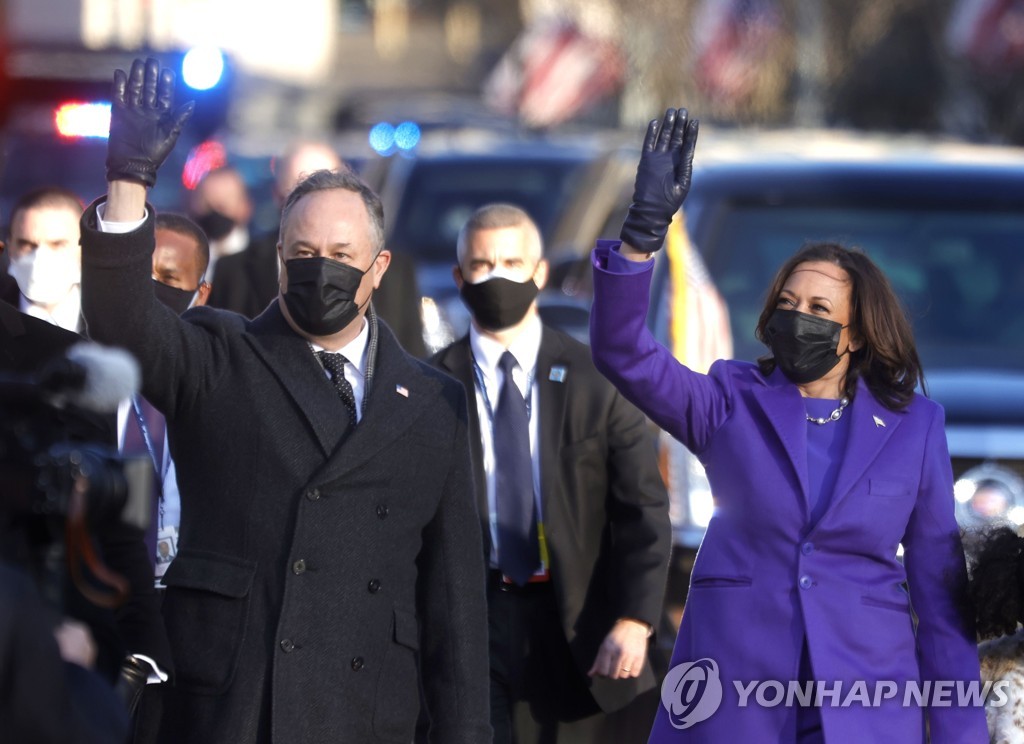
(247, 283)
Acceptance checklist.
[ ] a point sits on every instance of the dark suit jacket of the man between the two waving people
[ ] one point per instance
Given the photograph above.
(606, 508)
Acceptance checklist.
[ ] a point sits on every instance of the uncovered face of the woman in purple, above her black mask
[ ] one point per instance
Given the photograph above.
(823, 289)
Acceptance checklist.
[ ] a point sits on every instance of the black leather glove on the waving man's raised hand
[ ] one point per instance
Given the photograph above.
(144, 126)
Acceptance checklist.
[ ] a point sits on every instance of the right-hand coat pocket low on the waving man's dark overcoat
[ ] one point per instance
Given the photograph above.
(398, 705)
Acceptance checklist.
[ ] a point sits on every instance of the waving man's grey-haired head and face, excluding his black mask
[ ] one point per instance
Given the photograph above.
(333, 225)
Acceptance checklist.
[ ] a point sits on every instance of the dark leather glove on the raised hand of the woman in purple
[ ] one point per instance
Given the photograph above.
(663, 181)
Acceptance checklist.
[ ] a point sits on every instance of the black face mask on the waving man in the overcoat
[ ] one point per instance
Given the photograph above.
(321, 295)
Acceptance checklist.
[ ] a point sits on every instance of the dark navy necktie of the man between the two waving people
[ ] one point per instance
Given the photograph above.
(519, 548)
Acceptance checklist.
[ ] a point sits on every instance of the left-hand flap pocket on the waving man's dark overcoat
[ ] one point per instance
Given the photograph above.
(206, 612)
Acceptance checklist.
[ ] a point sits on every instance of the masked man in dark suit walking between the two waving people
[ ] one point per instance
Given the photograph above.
(571, 627)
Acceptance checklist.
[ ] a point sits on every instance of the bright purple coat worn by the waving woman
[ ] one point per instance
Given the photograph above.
(765, 580)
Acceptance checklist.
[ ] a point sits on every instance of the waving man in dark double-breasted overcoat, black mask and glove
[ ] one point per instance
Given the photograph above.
(330, 543)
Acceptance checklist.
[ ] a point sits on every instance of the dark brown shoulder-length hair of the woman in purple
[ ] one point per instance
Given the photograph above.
(888, 359)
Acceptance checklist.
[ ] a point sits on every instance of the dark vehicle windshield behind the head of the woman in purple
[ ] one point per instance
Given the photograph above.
(961, 275)
